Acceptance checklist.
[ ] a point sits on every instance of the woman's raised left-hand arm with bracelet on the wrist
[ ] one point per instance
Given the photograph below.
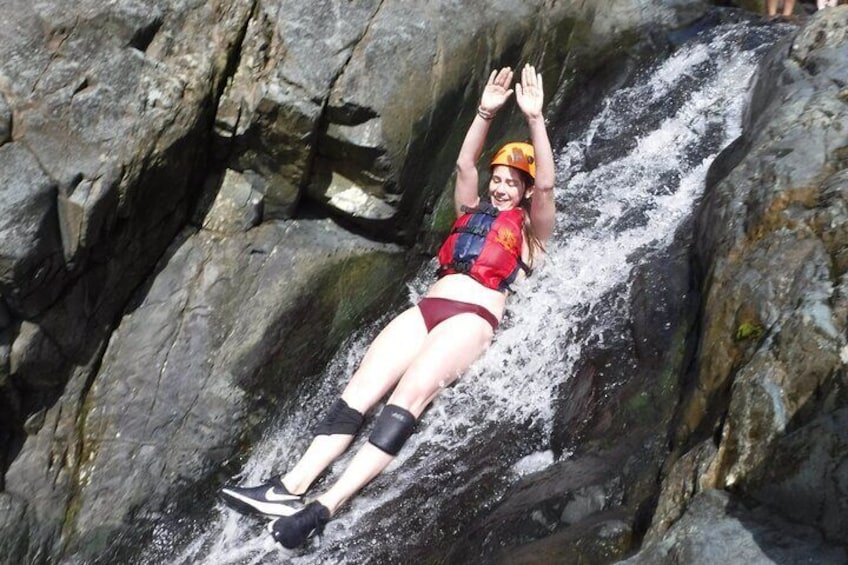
(495, 94)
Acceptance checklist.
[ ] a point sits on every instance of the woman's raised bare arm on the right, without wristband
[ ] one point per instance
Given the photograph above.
(530, 97)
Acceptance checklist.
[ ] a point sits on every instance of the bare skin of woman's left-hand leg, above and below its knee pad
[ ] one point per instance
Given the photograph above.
(387, 358)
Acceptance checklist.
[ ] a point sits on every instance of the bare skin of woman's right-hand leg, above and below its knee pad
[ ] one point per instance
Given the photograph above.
(450, 349)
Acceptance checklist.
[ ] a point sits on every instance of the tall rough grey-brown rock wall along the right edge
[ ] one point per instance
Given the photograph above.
(764, 414)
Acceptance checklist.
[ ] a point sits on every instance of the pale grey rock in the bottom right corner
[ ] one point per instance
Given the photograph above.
(717, 528)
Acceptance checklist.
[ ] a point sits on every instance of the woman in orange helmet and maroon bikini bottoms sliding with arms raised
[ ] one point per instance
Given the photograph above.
(428, 346)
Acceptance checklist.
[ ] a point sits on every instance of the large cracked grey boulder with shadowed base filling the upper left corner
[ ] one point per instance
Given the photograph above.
(106, 113)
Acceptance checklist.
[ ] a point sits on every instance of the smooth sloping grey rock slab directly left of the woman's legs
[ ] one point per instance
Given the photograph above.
(177, 390)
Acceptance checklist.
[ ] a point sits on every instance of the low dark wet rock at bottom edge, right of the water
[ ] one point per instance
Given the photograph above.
(575, 511)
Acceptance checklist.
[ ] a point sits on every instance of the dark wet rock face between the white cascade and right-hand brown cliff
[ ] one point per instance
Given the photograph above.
(630, 383)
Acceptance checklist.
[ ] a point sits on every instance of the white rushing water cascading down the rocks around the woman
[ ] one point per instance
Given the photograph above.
(625, 184)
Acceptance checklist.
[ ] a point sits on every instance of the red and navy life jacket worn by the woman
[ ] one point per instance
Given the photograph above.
(485, 244)
